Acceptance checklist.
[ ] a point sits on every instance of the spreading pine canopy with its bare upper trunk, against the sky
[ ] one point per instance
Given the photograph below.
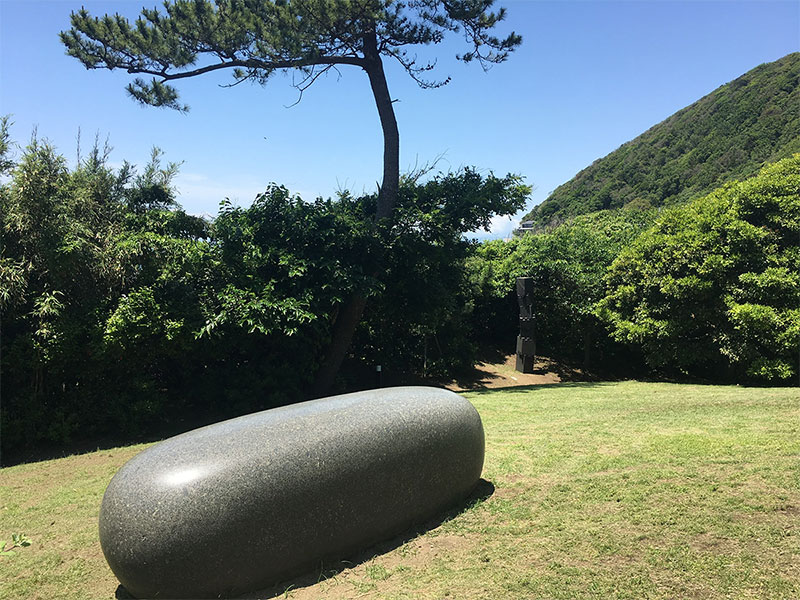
(256, 38)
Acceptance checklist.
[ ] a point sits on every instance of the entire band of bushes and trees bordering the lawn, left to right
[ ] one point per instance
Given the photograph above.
(121, 313)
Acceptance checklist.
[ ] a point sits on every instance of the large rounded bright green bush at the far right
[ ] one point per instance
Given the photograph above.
(714, 288)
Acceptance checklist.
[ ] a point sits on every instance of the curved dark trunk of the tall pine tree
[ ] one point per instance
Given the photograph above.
(350, 313)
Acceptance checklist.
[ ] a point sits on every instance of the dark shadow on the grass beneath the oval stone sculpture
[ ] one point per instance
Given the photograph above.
(331, 568)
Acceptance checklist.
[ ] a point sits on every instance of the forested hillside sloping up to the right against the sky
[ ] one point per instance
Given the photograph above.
(727, 135)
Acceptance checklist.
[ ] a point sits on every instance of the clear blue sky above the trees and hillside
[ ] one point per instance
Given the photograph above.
(588, 77)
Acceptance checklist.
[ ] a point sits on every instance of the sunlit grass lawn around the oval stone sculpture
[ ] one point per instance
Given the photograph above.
(601, 490)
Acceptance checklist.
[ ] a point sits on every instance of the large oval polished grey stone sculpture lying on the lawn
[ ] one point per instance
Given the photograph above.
(236, 506)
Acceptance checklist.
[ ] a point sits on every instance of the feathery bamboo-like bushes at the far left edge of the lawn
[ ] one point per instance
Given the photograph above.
(88, 257)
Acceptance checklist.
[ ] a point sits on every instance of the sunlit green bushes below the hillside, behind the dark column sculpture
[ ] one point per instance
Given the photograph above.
(707, 290)
